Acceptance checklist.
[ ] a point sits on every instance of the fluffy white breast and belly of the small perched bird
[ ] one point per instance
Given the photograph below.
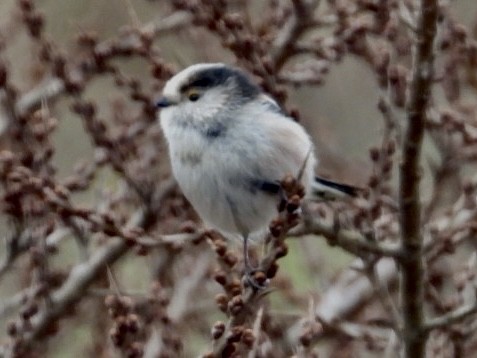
(213, 172)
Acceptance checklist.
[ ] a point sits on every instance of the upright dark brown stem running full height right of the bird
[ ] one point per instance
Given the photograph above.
(412, 274)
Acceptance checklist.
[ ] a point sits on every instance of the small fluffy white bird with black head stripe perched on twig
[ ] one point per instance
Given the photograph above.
(230, 145)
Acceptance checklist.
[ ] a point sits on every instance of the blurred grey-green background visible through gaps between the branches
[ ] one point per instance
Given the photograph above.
(340, 112)
